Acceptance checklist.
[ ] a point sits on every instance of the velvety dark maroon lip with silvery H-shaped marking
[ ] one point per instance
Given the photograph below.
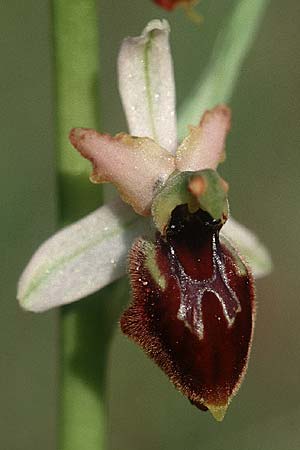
(198, 326)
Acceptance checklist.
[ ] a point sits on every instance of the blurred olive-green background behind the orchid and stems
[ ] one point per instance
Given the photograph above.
(145, 412)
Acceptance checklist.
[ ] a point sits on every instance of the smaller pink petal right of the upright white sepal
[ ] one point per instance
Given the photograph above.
(203, 148)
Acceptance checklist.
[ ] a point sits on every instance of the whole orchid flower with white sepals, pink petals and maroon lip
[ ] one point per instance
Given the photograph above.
(193, 292)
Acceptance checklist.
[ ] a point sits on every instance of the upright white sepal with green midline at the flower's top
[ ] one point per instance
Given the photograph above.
(146, 84)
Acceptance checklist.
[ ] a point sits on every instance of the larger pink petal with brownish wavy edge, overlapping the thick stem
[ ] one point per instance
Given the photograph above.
(136, 166)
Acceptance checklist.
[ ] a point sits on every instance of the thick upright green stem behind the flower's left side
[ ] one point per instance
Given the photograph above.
(86, 327)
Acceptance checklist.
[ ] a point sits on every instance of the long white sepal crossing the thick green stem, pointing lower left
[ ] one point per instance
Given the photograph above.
(81, 258)
